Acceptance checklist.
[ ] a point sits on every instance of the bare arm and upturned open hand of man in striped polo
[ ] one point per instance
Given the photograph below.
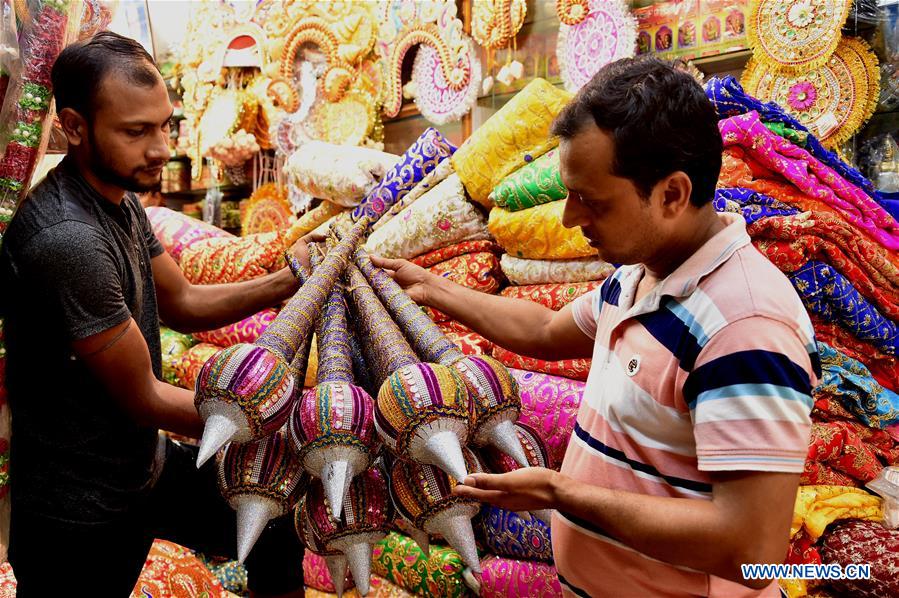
(708, 536)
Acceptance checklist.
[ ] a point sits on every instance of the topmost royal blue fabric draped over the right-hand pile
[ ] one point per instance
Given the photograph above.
(730, 99)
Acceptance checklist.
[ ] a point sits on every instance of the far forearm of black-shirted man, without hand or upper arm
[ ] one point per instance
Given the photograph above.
(207, 307)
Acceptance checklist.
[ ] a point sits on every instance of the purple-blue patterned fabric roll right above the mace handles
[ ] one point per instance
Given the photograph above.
(422, 157)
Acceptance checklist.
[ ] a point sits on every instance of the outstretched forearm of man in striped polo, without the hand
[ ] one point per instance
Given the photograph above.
(515, 324)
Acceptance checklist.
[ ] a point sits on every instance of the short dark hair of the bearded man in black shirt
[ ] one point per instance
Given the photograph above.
(81, 68)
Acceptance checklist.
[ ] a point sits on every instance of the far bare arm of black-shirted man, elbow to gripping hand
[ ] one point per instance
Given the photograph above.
(188, 307)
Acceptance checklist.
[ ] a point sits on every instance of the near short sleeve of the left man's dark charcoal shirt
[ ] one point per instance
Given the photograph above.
(72, 266)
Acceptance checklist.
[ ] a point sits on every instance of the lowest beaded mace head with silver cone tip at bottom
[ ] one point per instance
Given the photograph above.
(352, 531)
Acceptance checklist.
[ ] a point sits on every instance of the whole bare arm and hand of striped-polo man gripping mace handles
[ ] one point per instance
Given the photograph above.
(518, 325)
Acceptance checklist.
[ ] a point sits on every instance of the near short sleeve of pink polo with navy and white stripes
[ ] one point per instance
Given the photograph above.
(749, 396)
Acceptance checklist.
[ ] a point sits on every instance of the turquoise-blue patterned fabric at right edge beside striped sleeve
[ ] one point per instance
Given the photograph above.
(850, 382)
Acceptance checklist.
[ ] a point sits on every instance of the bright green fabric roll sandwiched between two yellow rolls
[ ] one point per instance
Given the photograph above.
(536, 183)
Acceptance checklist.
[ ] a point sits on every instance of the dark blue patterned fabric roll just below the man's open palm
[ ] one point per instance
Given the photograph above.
(508, 535)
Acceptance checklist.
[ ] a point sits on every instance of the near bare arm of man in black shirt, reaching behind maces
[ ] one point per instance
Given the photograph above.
(120, 359)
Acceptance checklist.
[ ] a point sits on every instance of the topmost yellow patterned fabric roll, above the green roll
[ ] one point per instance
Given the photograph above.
(517, 134)
